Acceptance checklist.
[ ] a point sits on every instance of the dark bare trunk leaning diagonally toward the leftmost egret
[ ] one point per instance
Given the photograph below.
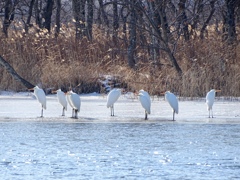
(14, 74)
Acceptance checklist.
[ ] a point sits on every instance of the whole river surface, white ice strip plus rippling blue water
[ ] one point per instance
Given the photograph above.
(97, 146)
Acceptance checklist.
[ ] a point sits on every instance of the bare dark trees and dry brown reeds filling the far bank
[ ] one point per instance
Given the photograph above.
(184, 46)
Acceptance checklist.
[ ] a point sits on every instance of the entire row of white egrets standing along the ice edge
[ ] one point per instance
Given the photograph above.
(74, 100)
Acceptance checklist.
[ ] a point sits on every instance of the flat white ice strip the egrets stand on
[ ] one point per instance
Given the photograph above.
(24, 107)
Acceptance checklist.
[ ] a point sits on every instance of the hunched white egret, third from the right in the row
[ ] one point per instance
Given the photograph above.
(144, 98)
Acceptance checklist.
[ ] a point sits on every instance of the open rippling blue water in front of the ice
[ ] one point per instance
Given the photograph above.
(119, 150)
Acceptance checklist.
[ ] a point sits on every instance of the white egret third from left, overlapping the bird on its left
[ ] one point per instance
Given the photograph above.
(75, 102)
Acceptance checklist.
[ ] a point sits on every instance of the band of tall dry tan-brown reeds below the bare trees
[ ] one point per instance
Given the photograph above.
(64, 62)
